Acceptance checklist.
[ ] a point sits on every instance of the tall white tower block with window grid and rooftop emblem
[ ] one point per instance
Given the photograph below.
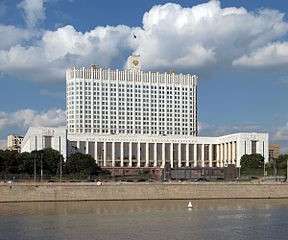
(104, 101)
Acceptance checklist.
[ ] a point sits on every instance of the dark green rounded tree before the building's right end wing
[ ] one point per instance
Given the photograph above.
(252, 162)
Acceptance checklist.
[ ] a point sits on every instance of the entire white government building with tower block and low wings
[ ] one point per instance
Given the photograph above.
(132, 118)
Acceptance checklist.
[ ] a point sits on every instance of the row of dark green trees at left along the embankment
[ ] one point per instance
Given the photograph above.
(50, 161)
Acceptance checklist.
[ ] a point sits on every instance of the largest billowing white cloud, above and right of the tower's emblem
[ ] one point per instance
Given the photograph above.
(204, 35)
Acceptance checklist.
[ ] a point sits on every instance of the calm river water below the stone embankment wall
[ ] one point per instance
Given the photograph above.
(208, 219)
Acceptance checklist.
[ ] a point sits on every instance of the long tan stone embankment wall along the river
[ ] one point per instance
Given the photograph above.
(20, 192)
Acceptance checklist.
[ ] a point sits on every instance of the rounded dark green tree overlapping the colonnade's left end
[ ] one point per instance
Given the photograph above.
(81, 164)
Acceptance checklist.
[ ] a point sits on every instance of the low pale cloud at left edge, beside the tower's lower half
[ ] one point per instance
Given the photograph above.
(22, 119)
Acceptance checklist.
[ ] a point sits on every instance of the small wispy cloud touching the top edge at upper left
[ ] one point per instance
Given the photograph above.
(34, 12)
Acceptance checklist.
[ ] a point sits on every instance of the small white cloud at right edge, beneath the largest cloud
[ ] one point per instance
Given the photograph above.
(275, 54)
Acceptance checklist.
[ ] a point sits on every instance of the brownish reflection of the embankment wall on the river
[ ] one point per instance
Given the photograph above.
(107, 207)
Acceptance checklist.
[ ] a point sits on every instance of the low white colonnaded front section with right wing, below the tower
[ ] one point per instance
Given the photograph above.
(179, 151)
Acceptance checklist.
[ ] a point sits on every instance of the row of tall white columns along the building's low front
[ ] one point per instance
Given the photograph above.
(152, 154)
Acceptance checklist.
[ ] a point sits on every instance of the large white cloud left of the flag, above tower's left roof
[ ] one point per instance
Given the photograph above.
(63, 48)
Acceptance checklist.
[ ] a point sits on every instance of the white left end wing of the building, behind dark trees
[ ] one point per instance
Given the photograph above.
(38, 138)
